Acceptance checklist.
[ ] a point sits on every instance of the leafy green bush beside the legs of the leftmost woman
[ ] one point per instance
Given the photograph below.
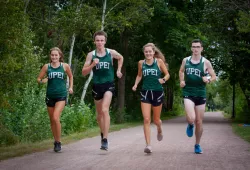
(28, 118)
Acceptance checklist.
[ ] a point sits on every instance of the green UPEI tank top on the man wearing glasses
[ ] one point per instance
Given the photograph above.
(193, 78)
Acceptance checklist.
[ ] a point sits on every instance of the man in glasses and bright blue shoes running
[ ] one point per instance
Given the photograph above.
(193, 81)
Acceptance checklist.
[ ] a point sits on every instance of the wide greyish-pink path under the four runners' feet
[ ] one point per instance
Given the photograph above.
(222, 150)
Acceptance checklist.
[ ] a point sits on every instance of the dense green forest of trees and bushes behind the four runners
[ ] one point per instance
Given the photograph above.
(29, 28)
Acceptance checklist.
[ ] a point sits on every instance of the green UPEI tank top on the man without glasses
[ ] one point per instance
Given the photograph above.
(103, 72)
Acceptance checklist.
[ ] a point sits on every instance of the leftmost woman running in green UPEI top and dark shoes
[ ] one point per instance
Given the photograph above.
(56, 91)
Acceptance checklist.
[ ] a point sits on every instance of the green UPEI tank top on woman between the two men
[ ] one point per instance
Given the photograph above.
(151, 74)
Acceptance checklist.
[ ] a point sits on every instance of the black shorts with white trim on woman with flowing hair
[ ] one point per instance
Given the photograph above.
(155, 98)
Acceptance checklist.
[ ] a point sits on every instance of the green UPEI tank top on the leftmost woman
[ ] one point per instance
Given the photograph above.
(56, 87)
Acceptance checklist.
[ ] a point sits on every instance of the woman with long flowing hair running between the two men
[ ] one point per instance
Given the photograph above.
(150, 69)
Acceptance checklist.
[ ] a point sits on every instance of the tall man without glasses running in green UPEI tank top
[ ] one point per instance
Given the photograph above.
(101, 62)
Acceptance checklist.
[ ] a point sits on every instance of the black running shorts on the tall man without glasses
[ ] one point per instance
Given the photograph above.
(98, 90)
